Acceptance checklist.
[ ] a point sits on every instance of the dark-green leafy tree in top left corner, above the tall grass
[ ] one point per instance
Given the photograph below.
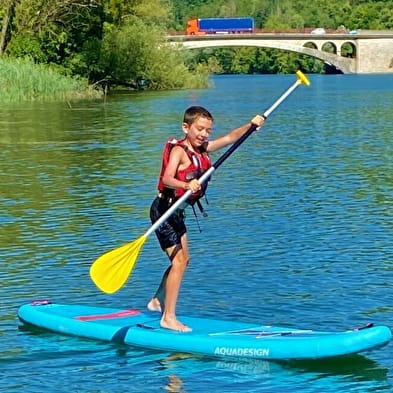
(55, 31)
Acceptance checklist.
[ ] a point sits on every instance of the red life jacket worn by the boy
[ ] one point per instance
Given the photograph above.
(200, 163)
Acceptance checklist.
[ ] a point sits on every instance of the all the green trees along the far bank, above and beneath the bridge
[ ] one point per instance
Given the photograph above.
(122, 42)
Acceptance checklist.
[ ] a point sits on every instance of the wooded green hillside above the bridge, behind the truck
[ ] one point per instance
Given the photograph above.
(293, 14)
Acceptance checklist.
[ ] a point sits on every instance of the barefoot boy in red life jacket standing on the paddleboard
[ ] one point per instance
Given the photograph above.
(183, 163)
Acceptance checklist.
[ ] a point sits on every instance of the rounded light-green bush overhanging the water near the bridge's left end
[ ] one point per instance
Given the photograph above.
(137, 55)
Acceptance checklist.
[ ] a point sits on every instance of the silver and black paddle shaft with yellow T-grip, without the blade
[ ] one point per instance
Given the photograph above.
(301, 79)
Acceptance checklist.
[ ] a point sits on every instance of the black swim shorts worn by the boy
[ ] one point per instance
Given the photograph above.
(170, 232)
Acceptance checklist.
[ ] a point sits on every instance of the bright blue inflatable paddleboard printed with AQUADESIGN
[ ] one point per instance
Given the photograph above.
(208, 336)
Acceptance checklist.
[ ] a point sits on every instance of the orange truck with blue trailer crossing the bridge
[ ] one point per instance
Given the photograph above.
(220, 25)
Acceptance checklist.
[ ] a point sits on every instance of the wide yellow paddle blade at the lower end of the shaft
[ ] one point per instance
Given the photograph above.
(111, 270)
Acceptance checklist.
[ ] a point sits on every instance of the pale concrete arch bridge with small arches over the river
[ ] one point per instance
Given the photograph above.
(370, 52)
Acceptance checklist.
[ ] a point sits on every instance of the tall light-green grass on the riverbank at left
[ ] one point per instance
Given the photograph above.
(22, 80)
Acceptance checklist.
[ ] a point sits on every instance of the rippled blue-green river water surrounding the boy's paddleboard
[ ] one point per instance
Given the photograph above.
(299, 231)
